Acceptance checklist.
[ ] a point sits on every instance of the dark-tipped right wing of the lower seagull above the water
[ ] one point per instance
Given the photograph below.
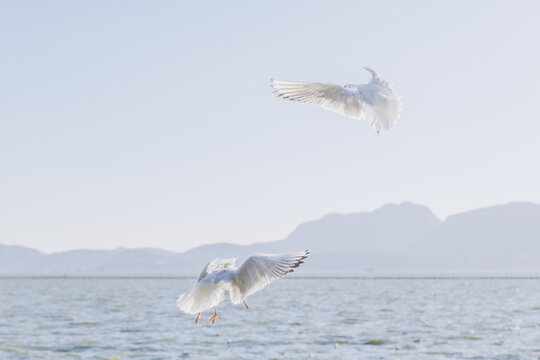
(259, 270)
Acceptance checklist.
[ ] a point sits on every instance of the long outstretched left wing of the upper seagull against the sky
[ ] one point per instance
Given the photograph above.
(329, 96)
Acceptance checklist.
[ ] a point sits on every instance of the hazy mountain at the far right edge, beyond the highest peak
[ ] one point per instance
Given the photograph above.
(504, 237)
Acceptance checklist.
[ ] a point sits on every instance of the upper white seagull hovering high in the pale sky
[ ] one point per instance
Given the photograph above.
(375, 102)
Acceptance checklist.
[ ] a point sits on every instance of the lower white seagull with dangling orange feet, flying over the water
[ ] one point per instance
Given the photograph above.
(221, 278)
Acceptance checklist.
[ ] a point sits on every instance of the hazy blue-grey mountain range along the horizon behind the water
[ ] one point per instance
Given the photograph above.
(404, 237)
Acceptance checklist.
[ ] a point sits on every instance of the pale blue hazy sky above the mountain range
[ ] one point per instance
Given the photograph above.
(152, 123)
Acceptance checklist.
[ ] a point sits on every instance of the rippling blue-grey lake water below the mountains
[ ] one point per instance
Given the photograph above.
(293, 318)
